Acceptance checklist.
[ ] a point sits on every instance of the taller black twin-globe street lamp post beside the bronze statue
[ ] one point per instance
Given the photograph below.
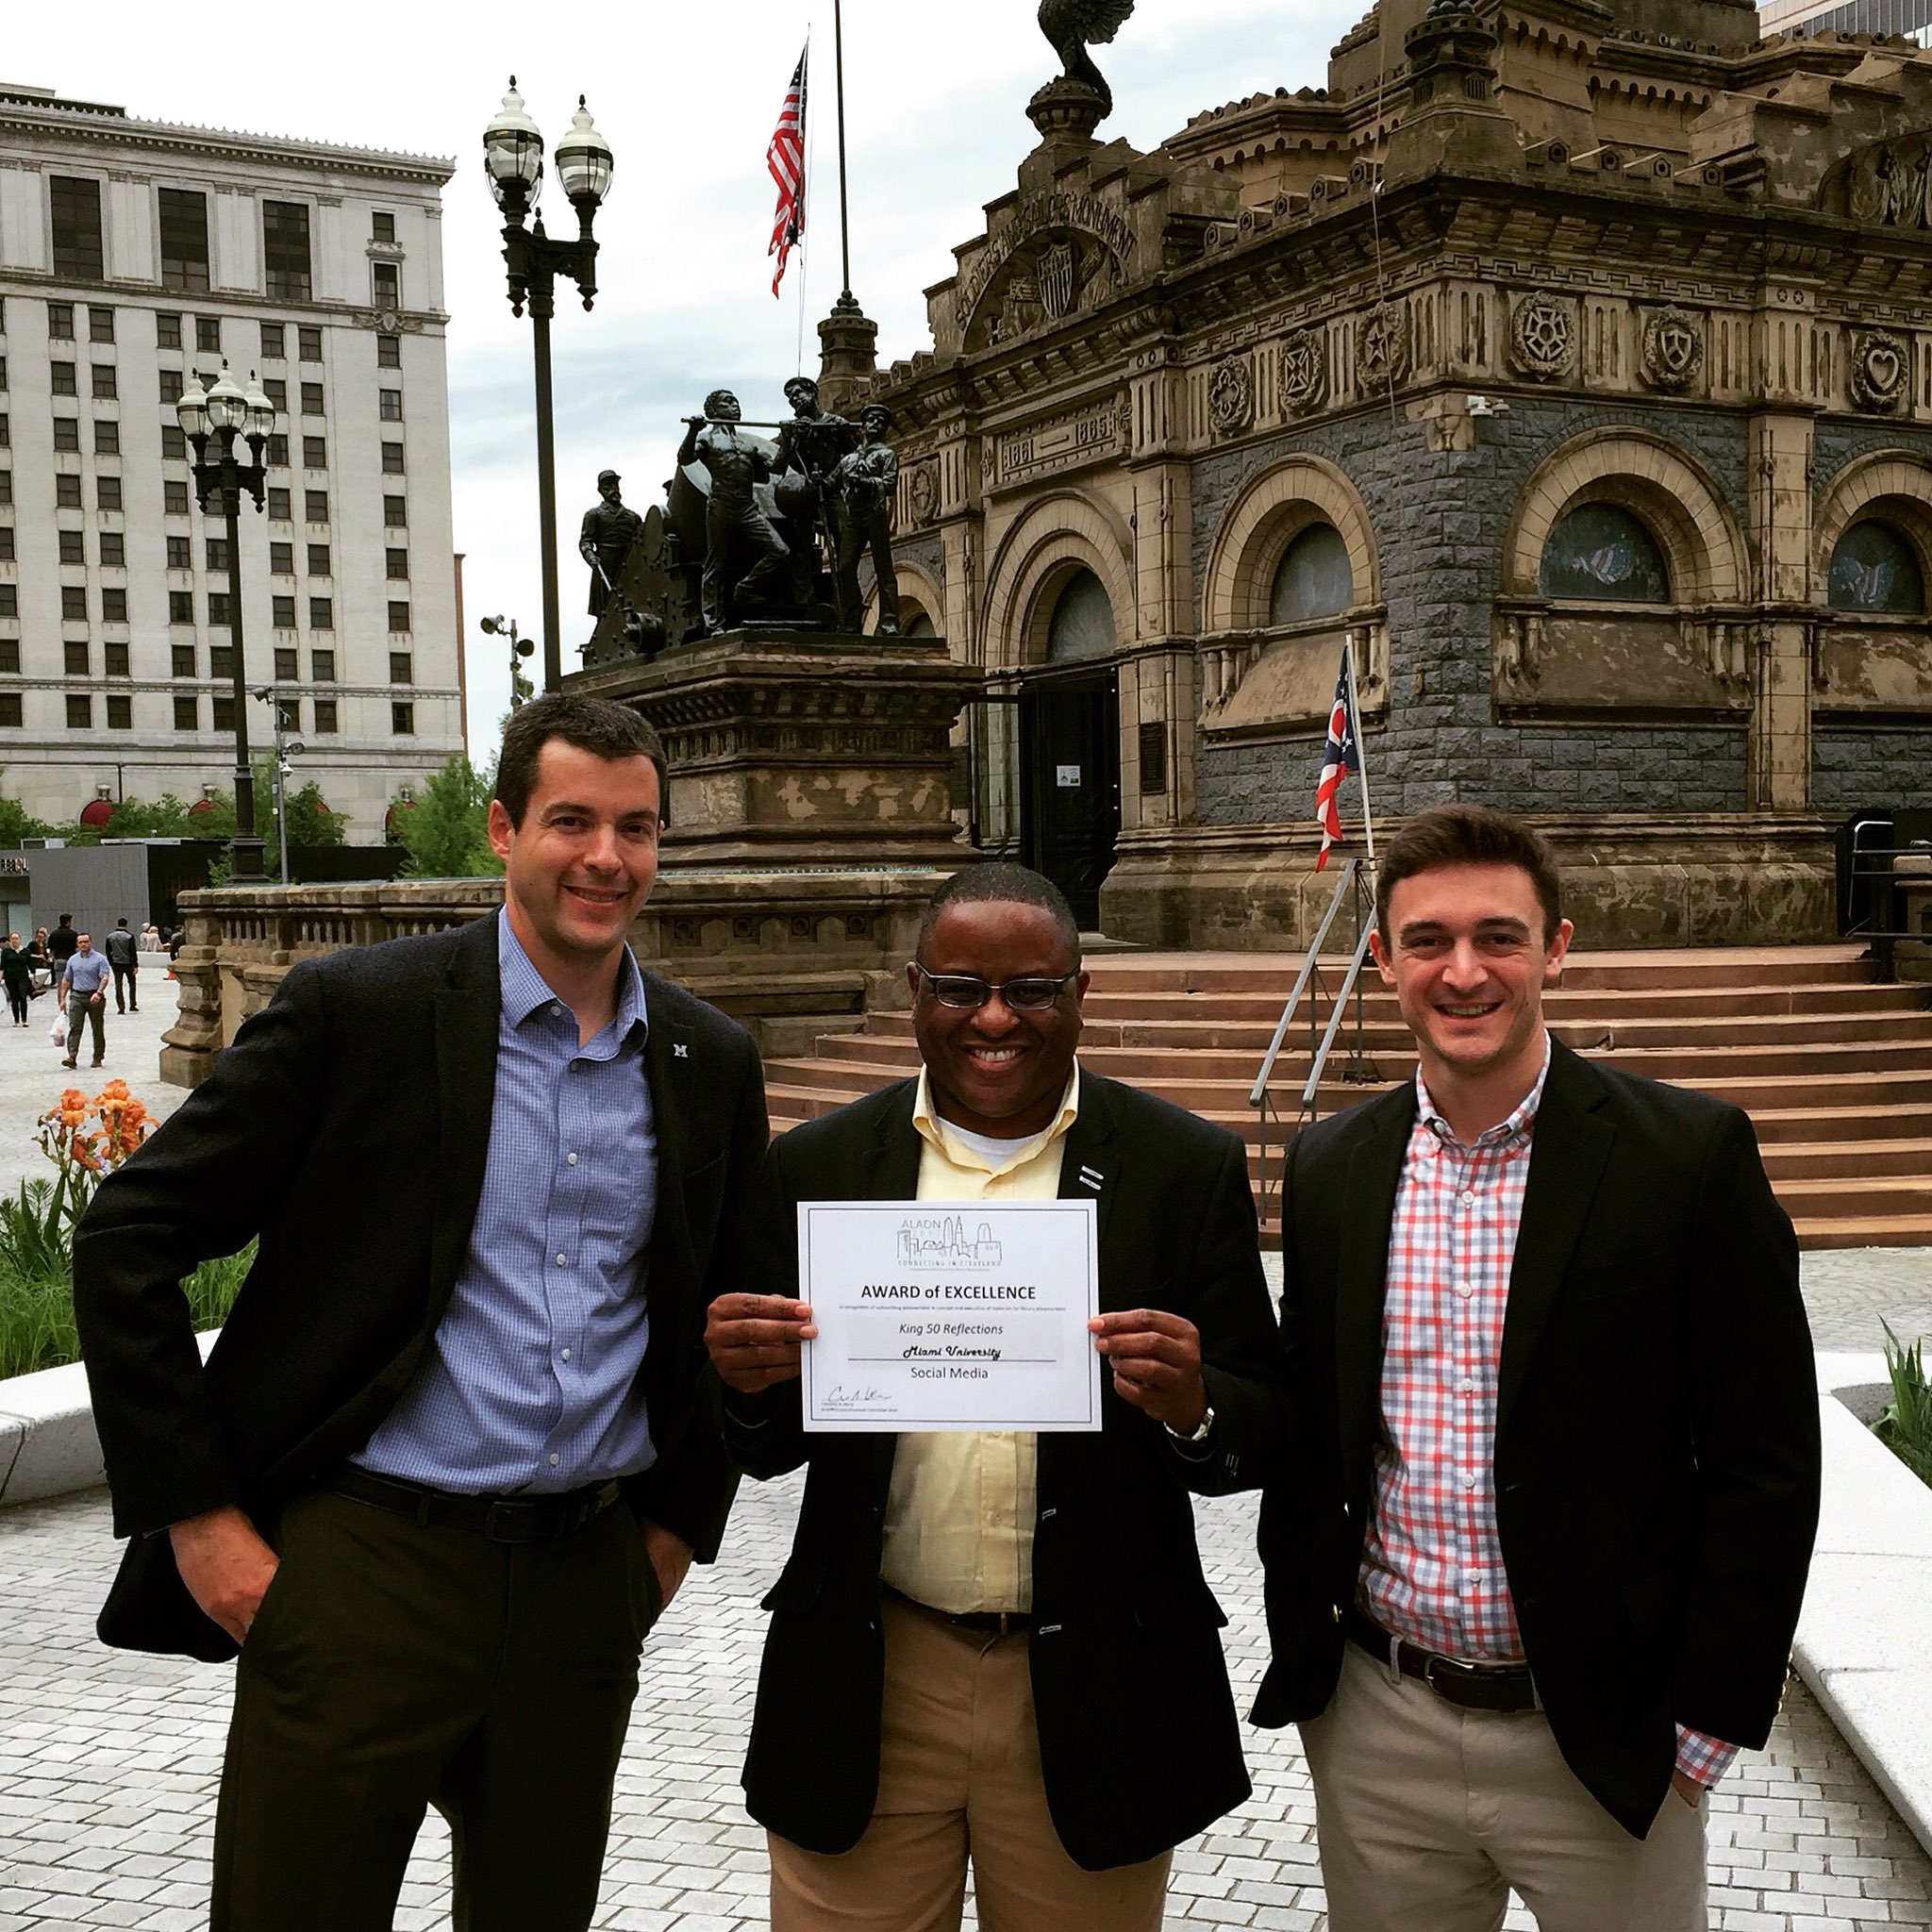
(513, 154)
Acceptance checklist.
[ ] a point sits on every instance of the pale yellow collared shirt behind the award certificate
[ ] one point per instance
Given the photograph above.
(959, 1520)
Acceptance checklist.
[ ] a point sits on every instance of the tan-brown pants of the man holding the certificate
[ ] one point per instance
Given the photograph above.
(959, 1778)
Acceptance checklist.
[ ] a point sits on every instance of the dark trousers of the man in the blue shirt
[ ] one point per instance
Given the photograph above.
(393, 1668)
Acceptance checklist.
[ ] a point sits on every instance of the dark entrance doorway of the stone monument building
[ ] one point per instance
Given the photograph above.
(1071, 762)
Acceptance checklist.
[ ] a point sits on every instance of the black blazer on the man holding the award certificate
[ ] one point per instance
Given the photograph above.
(1139, 1736)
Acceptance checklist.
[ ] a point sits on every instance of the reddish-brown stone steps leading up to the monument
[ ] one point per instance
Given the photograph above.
(1833, 1065)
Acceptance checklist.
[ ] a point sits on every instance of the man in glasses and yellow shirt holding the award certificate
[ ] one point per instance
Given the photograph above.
(1002, 1645)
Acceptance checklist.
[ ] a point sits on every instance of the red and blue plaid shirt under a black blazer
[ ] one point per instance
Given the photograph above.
(1433, 1564)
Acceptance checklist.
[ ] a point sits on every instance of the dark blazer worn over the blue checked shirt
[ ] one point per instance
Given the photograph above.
(349, 1127)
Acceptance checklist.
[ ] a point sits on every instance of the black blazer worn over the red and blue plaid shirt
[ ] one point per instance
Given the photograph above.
(1657, 1454)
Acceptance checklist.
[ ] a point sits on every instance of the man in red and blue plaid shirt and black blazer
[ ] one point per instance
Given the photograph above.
(1535, 1566)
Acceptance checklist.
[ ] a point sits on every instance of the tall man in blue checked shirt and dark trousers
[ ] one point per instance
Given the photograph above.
(447, 1462)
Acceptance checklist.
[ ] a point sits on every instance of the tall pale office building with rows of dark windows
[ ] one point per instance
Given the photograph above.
(132, 256)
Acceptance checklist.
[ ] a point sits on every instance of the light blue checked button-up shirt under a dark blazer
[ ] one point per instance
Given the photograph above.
(532, 1378)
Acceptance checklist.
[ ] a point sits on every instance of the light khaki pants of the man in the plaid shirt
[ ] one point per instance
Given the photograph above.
(1427, 1815)
